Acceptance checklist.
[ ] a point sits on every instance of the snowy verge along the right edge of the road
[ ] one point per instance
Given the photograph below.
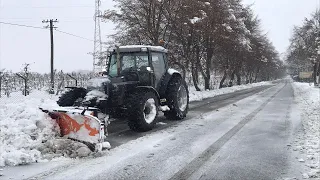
(307, 143)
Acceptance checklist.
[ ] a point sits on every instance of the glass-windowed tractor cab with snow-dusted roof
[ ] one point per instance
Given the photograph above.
(145, 65)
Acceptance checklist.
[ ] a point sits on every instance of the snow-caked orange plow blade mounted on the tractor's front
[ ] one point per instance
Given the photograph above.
(79, 126)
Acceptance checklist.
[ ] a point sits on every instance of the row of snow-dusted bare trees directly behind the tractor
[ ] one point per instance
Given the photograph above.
(203, 36)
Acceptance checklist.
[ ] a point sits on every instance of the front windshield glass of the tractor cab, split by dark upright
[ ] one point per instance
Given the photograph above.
(128, 60)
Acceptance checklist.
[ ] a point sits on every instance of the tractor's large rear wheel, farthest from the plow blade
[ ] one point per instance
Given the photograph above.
(177, 99)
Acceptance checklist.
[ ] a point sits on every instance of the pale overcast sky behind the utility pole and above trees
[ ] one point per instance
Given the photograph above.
(19, 45)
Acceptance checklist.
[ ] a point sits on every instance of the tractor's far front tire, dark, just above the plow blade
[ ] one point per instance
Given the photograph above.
(70, 97)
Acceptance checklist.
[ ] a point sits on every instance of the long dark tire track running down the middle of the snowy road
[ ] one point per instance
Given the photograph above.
(196, 163)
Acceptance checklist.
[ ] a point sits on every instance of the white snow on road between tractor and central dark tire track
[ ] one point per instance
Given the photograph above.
(166, 150)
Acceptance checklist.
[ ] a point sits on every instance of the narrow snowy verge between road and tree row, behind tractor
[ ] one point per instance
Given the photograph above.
(200, 95)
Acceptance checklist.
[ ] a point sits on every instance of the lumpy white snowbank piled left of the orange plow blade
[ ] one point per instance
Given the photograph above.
(23, 127)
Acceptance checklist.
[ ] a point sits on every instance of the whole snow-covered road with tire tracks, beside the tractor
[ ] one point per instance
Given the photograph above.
(240, 136)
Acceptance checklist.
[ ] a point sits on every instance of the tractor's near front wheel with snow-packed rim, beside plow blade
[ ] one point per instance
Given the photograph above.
(143, 111)
